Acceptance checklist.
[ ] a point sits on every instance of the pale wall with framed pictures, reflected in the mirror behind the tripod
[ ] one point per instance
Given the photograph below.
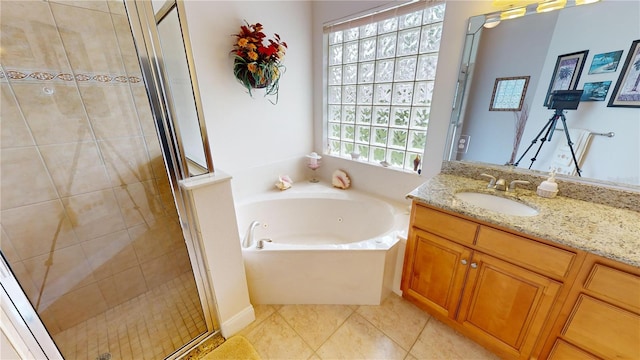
(613, 159)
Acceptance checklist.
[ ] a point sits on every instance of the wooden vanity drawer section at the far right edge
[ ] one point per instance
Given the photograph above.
(601, 317)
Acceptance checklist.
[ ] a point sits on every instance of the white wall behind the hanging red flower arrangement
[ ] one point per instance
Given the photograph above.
(248, 133)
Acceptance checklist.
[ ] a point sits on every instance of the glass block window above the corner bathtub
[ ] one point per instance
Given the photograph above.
(361, 134)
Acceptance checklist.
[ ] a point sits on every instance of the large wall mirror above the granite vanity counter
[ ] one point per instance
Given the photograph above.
(530, 46)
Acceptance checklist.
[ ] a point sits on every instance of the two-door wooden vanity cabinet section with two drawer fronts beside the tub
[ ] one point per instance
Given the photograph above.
(496, 287)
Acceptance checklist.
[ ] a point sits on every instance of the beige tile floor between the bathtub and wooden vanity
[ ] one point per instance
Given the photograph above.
(396, 329)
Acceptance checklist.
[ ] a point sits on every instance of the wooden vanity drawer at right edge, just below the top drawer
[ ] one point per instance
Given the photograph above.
(603, 329)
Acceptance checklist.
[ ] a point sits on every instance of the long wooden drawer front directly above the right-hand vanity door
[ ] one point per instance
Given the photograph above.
(525, 252)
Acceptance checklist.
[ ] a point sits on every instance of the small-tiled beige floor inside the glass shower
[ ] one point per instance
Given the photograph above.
(150, 326)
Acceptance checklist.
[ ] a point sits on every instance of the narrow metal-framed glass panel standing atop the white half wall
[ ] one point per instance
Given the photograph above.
(162, 40)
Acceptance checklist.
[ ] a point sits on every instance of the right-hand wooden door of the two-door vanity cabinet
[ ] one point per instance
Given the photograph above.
(506, 302)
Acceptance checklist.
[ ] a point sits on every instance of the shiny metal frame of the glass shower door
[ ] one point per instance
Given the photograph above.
(145, 35)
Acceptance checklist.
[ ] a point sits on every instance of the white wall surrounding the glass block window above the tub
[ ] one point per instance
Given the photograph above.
(369, 177)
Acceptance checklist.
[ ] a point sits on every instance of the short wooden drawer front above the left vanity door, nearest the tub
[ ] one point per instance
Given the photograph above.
(445, 225)
